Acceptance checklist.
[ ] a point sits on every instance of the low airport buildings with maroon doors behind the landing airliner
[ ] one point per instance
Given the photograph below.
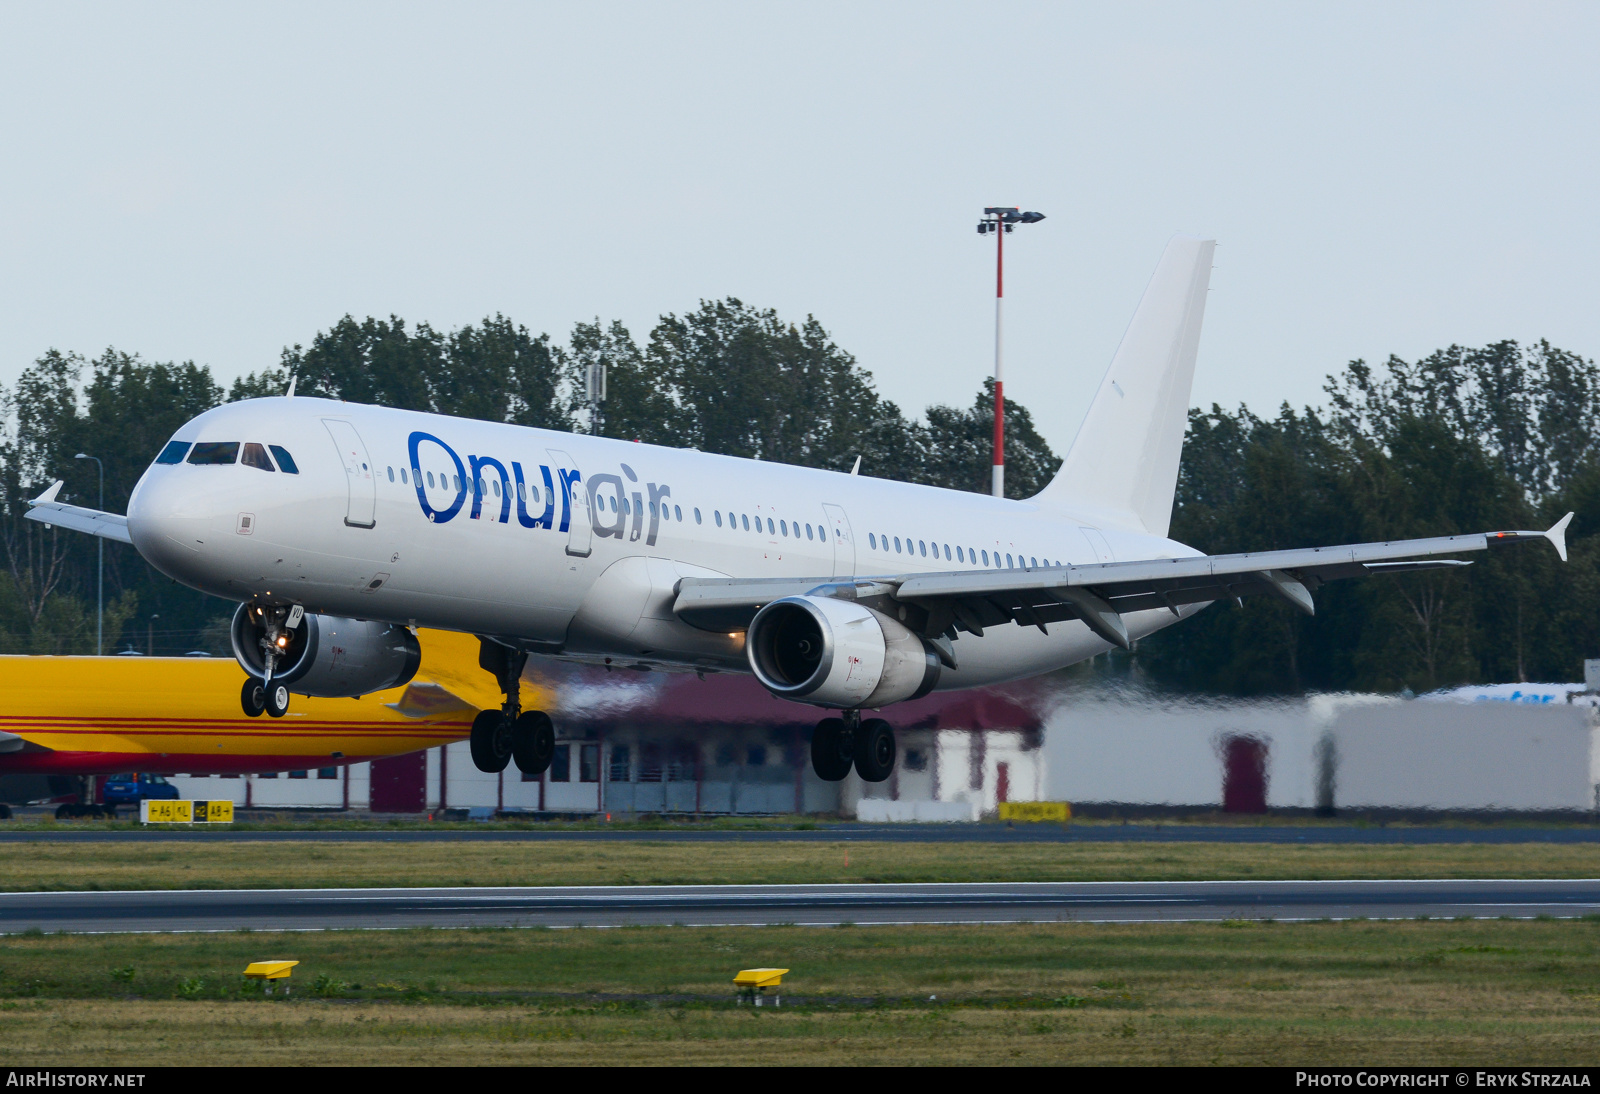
(722, 746)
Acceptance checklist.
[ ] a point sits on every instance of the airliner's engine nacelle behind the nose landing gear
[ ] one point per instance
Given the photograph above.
(330, 657)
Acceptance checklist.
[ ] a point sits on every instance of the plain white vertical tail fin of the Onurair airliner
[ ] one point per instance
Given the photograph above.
(1122, 466)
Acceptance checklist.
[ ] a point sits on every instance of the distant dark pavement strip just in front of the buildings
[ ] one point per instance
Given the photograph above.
(418, 832)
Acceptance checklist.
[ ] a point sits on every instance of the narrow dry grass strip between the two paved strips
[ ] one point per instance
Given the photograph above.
(316, 864)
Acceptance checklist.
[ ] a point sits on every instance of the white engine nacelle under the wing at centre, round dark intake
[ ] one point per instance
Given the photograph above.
(838, 653)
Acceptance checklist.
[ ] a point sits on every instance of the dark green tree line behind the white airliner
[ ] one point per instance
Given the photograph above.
(1462, 441)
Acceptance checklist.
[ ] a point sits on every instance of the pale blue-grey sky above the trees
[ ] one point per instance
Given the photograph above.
(217, 182)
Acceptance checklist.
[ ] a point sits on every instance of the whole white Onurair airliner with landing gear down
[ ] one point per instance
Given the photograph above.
(342, 529)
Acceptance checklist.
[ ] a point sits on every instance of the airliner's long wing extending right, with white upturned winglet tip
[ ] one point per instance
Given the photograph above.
(946, 604)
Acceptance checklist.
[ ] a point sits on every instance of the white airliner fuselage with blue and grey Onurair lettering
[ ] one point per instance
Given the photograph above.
(572, 545)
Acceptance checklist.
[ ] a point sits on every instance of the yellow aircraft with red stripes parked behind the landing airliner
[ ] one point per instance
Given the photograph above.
(100, 716)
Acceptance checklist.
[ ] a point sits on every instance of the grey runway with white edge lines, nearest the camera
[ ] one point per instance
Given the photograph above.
(799, 904)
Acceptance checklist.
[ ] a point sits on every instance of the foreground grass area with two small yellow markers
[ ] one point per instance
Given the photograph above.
(1370, 992)
